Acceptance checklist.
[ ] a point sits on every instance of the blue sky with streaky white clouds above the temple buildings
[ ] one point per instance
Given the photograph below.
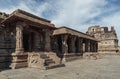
(76, 14)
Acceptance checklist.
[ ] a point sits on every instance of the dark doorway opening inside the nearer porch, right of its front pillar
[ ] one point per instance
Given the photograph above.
(28, 42)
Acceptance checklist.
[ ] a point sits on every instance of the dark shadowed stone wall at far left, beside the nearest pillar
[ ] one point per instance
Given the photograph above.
(7, 46)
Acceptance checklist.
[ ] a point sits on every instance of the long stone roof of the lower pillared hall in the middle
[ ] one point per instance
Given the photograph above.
(65, 30)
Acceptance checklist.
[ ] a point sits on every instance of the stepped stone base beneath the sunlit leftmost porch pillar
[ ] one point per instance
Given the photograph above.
(19, 60)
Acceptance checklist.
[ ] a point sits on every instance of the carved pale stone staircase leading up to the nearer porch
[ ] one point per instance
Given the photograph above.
(43, 60)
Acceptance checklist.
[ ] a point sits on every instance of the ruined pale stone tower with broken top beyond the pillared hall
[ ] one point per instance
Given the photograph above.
(108, 41)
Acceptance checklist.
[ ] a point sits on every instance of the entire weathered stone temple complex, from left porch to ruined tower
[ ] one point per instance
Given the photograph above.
(27, 40)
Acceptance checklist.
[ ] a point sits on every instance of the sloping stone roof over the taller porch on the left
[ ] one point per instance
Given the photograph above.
(27, 17)
